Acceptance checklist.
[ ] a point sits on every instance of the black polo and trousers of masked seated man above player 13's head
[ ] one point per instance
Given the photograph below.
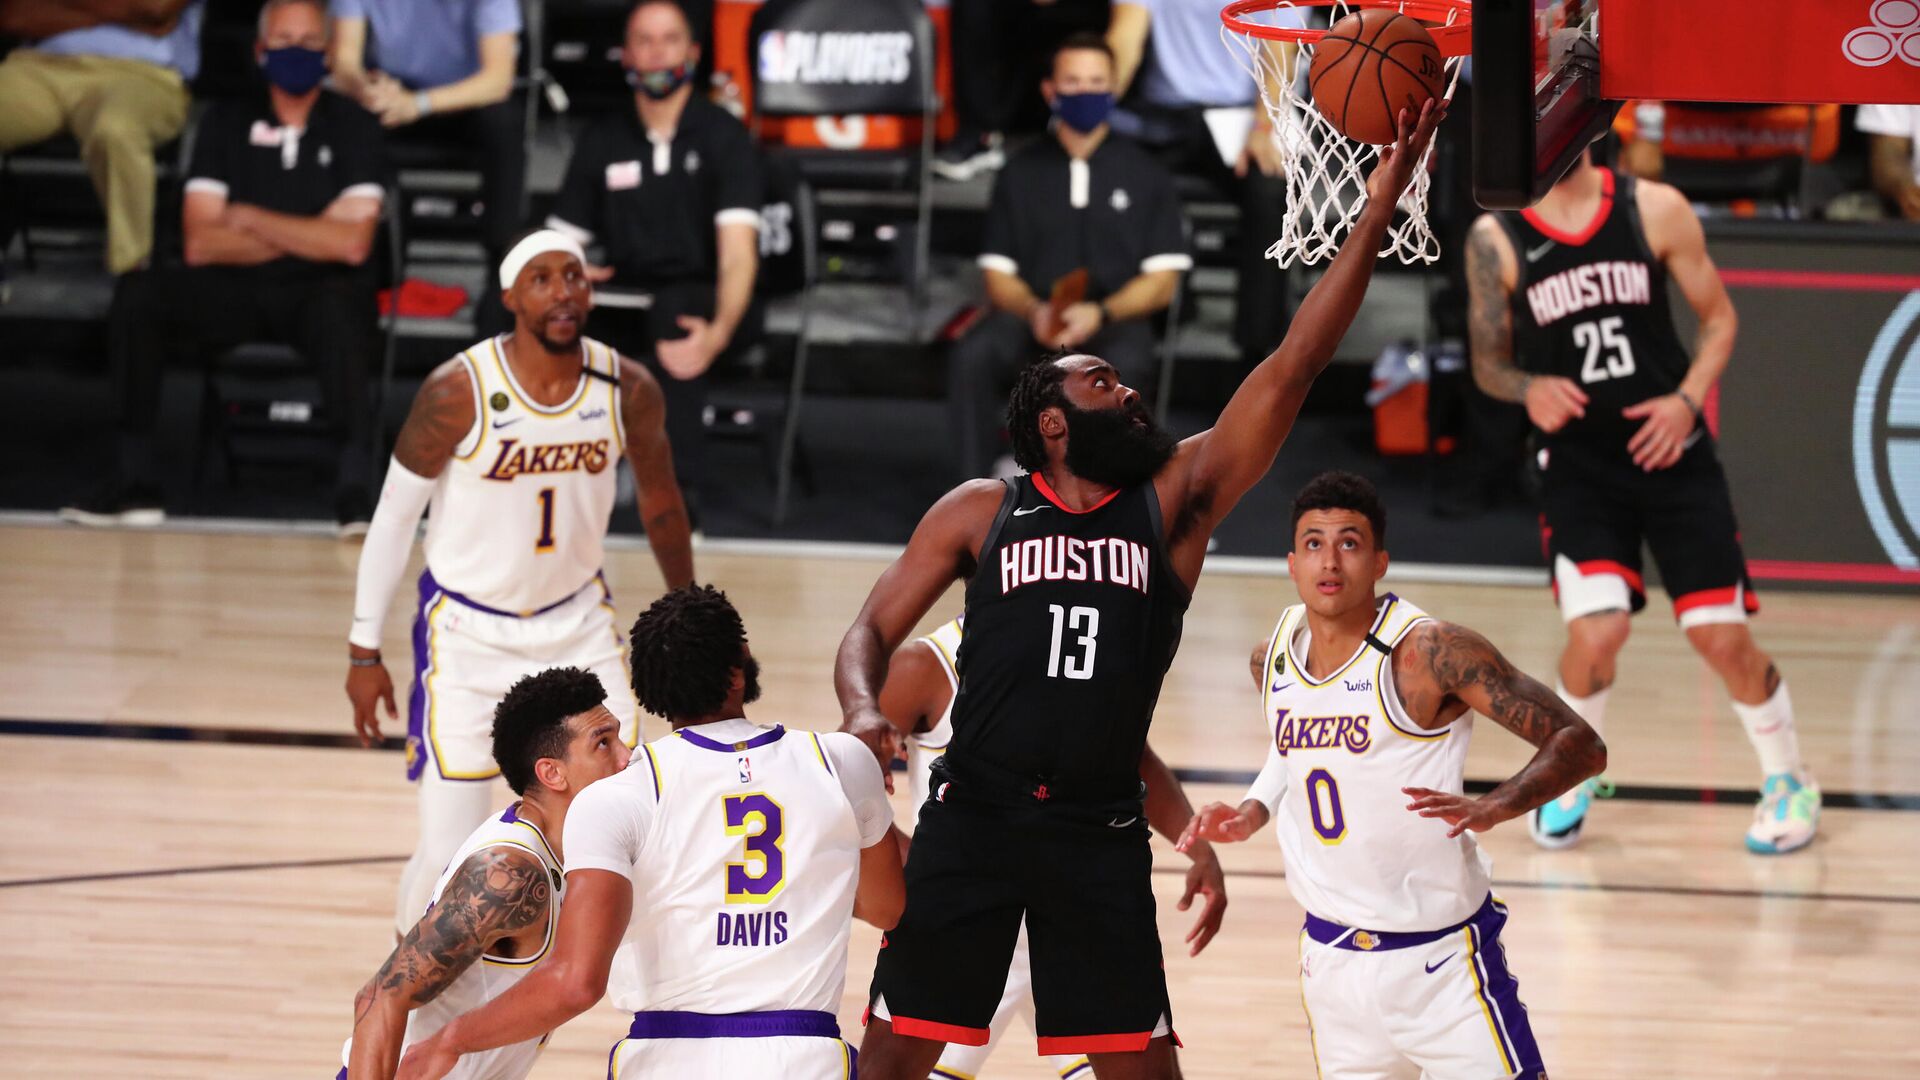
(1113, 214)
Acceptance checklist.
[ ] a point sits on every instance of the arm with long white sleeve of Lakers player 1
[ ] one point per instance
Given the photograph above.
(441, 418)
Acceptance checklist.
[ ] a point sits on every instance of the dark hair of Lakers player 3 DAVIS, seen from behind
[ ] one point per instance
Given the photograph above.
(684, 650)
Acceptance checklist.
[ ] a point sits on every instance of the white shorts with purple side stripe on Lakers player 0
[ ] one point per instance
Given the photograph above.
(1445, 1008)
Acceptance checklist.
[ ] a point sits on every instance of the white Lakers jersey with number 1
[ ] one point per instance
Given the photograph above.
(521, 514)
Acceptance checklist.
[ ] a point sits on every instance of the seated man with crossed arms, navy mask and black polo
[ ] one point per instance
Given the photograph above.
(283, 199)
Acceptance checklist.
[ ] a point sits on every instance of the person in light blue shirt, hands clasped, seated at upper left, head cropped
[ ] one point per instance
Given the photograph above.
(443, 70)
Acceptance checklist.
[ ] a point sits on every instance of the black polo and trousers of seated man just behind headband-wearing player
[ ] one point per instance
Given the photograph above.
(656, 207)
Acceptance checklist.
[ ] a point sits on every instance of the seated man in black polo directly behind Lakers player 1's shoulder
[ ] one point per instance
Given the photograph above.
(671, 191)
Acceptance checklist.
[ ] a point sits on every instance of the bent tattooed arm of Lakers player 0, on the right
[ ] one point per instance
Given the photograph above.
(1441, 672)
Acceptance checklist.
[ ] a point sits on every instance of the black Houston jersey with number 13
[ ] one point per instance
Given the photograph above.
(1070, 626)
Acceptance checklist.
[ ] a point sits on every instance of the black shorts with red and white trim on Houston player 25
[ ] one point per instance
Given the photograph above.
(1600, 508)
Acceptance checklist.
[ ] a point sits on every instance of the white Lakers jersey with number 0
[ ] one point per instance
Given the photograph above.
(1355, 854)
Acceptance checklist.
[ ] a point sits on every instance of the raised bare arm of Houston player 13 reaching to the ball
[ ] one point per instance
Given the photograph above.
(1241, 447)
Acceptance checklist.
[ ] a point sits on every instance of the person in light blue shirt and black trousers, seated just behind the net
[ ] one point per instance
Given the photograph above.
(1180, 82)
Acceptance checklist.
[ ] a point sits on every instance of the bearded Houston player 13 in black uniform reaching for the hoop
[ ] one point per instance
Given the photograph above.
(1078, 583)
